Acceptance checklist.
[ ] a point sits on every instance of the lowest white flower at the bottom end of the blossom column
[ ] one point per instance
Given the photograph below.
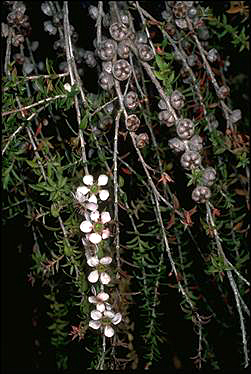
(105, 321)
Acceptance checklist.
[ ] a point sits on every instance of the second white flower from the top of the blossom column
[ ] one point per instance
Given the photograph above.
(99, 232)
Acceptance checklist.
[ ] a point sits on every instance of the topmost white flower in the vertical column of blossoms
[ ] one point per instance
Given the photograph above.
(92, 189)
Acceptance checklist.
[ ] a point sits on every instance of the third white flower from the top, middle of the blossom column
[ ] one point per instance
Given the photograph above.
(99, 271)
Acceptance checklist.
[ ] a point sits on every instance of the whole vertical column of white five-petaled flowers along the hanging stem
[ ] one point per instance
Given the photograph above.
(95, 231)
